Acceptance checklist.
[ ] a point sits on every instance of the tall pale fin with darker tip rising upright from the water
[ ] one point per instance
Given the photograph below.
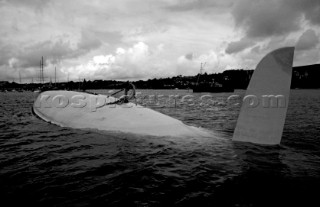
(264, 107)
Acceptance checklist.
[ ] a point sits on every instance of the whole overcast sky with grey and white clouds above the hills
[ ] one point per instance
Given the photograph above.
(141, 39)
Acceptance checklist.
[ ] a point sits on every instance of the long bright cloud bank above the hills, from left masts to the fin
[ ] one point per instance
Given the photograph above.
(142, 61)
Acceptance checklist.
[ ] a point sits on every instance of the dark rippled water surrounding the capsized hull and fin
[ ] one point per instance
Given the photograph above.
(45, 165)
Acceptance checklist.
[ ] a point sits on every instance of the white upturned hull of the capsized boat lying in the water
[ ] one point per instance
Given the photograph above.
(88, 111)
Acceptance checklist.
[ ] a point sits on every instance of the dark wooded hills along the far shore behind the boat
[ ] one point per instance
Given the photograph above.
(302, 77)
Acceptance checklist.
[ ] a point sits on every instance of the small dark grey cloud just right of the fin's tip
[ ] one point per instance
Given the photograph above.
(307, 40)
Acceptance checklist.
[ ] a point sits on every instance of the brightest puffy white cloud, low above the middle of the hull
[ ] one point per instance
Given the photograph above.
(138, 61)
